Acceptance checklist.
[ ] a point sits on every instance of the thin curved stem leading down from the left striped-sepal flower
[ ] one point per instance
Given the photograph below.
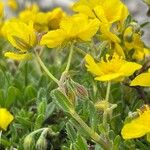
(45, 68)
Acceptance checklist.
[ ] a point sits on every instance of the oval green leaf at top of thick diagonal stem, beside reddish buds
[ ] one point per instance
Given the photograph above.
(61, 100)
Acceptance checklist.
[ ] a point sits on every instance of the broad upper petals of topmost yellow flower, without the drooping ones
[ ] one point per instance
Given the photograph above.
(111, 11)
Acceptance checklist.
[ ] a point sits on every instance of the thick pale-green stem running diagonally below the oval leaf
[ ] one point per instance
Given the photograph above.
(90, 131)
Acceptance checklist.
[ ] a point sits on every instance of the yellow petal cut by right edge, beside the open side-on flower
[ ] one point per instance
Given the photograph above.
(141, 80)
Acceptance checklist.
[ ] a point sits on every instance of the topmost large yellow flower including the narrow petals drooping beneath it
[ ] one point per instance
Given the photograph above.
(108, 12)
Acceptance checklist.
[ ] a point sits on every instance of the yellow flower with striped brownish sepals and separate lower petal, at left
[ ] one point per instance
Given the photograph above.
(22, 36)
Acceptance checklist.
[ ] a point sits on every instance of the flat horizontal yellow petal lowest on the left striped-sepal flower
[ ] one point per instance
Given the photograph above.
(18, 57)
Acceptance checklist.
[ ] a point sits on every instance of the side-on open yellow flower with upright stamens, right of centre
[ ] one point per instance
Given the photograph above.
(111, 69)
